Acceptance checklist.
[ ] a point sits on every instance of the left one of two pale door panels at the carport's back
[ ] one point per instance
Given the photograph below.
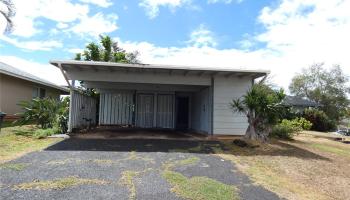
(145, 110)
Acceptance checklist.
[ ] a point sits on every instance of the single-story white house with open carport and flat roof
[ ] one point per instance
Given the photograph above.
(158, 96)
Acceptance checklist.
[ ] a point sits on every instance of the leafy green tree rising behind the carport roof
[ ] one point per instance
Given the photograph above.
(107, 51)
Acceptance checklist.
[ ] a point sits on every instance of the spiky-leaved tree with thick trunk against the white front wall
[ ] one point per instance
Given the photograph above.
(262, 105)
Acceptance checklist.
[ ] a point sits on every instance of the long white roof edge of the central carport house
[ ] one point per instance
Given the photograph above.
(95, 65)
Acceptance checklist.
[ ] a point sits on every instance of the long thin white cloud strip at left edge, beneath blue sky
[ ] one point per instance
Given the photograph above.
(33, 45)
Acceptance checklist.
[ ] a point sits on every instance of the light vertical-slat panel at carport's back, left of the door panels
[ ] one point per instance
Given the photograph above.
(116, 108)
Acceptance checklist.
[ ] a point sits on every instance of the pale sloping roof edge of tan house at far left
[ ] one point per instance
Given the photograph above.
(14, 72)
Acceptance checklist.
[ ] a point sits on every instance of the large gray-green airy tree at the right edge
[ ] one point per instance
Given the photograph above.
(326, 87)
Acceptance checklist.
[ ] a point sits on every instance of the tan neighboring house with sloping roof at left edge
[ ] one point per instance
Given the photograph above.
(17, 86)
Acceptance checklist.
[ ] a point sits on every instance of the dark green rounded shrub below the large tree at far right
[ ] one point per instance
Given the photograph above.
(320, 121)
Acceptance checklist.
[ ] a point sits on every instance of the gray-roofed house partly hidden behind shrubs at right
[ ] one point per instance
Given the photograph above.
(299, 104)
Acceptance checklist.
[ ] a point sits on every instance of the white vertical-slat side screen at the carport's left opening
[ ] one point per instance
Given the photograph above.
(82, 109)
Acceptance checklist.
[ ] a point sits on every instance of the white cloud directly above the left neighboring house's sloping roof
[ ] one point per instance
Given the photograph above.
(44, 71)
